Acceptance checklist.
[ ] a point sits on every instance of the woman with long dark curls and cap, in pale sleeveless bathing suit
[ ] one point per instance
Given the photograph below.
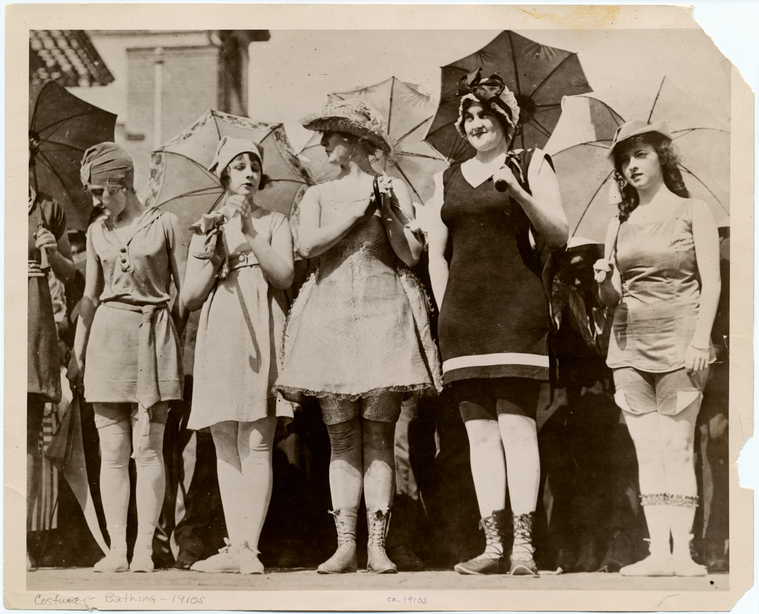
(661, 275)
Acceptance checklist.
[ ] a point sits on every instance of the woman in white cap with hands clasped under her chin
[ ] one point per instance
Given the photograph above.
(239, 264)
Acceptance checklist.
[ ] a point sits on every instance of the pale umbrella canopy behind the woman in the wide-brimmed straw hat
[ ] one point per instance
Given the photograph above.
(408, 114)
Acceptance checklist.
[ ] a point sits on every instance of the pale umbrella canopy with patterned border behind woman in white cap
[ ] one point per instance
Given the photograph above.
(179, 181)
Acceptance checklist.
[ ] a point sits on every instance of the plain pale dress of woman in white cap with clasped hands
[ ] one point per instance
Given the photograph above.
(239, 342)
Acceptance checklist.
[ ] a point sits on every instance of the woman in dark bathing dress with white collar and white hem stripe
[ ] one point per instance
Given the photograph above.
(494, 311)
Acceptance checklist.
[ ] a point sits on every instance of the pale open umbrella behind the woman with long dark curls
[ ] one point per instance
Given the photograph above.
(582, 139)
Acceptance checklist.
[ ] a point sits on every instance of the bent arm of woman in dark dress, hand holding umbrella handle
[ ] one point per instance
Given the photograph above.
(543, 206)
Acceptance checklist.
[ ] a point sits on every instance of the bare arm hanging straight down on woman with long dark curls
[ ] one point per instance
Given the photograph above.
(706, 240)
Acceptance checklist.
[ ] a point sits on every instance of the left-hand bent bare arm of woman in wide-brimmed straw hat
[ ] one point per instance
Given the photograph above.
(314, 239)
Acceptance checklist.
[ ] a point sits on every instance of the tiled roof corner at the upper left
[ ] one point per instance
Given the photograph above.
(65, 56)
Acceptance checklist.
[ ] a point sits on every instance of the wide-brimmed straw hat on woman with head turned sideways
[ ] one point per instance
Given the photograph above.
(354, 117)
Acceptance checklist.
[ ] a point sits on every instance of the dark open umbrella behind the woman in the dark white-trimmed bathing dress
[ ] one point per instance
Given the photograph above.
(540, 76)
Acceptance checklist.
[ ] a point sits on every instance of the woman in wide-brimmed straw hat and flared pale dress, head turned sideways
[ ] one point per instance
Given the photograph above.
(358, 335)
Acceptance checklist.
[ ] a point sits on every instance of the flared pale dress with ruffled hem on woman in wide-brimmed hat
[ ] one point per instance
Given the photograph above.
(360, 325)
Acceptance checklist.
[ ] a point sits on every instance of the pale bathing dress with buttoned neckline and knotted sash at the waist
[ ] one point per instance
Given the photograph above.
(133, 343)
